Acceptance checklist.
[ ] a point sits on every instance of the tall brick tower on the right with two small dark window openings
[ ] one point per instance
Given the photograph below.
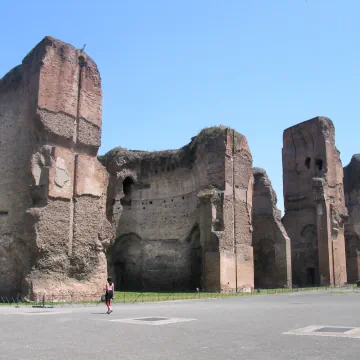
(314, 203)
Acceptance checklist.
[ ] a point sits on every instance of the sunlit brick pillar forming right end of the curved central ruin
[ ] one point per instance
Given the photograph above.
(225, 216)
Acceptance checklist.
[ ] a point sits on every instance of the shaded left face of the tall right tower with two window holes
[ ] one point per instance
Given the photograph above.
(303, 153)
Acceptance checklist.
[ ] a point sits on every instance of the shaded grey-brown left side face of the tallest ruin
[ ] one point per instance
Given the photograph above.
(16, 143)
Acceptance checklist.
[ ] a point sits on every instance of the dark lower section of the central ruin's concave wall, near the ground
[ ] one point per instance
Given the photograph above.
(156, 265)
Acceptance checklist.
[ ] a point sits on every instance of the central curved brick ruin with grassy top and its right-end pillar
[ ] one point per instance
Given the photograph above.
(182, 218)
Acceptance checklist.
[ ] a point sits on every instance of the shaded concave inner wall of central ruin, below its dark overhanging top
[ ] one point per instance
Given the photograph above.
(156, 243)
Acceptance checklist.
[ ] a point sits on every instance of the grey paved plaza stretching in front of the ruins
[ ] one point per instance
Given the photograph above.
(311, 326)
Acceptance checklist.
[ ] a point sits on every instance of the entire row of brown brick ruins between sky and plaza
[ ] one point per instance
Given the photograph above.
(197, 217)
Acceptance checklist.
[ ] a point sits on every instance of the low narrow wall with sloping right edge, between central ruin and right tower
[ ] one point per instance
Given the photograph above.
(272, 248)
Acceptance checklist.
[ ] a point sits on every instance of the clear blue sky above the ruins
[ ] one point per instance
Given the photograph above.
(172, 67)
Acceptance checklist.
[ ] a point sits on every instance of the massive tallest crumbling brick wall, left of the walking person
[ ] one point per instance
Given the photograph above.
(52, 187)
